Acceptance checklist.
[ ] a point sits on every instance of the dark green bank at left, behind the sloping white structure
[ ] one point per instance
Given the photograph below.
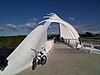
(10, 42)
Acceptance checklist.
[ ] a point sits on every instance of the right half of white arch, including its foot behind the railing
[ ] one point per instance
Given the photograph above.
(67, 31)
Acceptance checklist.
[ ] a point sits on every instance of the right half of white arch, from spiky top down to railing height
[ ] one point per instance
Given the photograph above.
(67, 30)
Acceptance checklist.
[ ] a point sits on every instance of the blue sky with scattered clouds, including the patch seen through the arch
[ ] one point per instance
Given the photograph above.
(20, 17)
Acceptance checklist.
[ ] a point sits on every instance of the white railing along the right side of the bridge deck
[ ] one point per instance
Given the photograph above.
(94, 45)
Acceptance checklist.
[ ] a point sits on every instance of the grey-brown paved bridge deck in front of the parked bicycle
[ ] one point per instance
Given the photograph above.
(64, 60)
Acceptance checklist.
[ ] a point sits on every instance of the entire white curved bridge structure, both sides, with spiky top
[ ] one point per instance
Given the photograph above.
(21, 57)
